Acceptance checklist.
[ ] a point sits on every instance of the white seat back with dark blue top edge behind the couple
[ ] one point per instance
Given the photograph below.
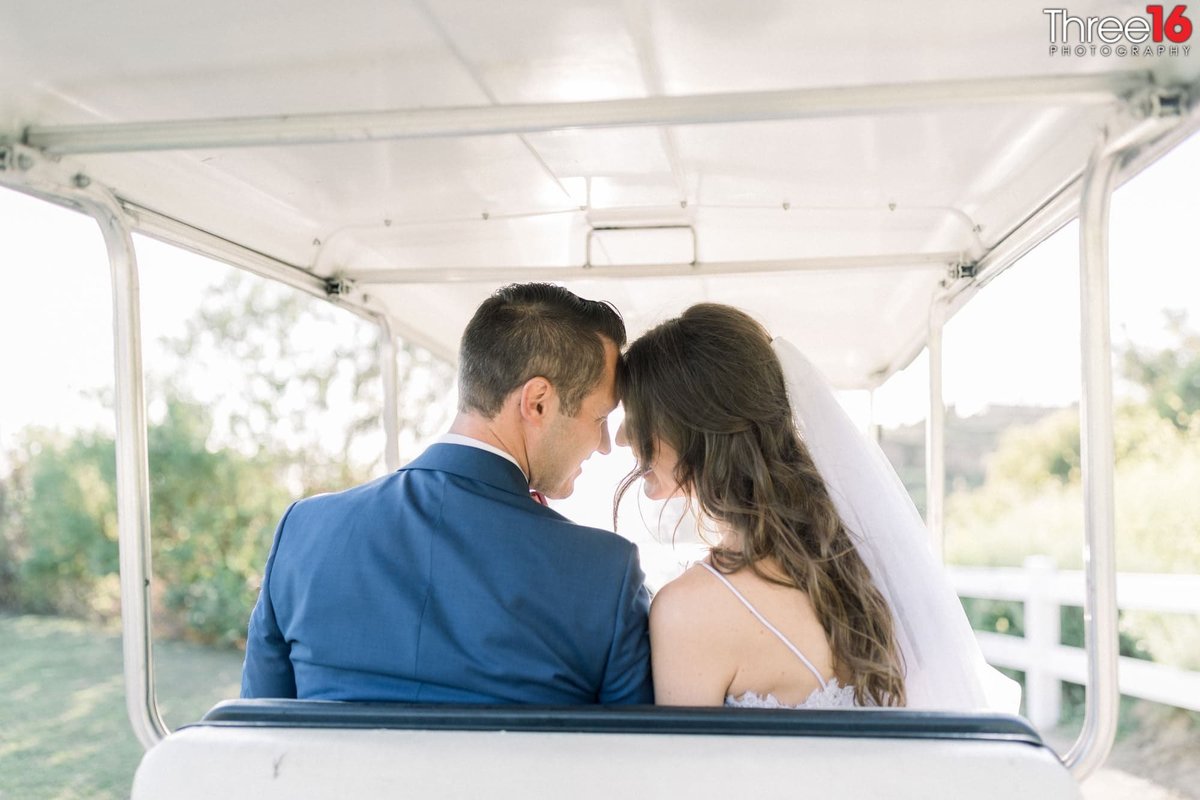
(287, 750)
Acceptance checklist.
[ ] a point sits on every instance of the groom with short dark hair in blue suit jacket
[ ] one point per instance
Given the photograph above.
(448, 581)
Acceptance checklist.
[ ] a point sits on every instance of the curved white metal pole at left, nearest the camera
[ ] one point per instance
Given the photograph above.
(133, 476)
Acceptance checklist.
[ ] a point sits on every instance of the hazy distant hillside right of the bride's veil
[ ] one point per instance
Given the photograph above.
(969, 442)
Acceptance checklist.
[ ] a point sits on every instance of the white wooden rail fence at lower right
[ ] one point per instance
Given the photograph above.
(1046, 663)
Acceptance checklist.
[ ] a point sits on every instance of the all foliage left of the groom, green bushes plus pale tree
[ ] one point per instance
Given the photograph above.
(273, 396)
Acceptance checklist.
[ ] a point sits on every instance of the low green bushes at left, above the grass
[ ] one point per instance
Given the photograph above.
(213, 516)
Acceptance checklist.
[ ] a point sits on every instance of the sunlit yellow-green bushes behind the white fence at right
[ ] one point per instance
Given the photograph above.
(1033, 498)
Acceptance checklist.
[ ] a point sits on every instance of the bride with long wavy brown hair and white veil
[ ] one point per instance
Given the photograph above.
(821, 591)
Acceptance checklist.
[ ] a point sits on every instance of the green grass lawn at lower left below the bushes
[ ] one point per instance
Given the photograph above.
(64, 731)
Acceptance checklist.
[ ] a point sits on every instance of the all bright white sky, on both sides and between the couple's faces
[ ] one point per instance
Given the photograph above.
(1017, 344)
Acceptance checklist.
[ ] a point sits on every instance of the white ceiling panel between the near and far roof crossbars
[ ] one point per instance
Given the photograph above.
(812, 189)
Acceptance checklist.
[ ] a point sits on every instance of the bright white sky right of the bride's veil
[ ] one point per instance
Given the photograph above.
(1018, 341)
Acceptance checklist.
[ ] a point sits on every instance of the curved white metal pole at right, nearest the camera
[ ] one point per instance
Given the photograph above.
(1096, 417)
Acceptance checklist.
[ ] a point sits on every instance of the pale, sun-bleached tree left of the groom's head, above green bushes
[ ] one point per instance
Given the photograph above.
(297, 378)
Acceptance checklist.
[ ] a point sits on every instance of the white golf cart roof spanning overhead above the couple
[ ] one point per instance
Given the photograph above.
(838, 170)
